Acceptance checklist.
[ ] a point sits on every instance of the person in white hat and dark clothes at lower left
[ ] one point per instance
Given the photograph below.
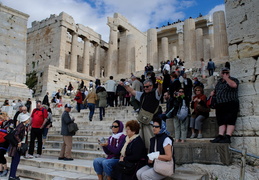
(14, 153)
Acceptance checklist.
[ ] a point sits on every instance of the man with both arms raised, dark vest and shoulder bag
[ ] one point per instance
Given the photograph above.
(149, 105)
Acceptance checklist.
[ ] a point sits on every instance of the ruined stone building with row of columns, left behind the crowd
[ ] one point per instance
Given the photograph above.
(60, 42)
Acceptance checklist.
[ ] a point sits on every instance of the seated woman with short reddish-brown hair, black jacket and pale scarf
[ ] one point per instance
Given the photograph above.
(133, 152)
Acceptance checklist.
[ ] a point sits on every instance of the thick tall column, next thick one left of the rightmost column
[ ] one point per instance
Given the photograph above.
(189, 43)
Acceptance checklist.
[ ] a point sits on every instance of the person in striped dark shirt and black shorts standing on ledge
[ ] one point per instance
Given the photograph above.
(227, 107)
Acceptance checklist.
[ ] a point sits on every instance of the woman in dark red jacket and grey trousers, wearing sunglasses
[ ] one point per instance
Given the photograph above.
(199, 114)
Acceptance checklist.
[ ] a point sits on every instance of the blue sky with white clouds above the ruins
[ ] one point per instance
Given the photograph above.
(143, 14)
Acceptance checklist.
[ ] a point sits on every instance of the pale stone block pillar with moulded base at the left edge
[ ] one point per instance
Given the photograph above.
(13, 53)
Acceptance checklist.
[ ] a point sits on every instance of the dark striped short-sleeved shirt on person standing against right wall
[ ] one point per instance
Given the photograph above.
(224, 93)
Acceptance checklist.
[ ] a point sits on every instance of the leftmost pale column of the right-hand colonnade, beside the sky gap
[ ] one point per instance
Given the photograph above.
(152, 52)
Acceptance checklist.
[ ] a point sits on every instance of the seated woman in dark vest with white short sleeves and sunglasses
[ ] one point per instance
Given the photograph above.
(164, 146)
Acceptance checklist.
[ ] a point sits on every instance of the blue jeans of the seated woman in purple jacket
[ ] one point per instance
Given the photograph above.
(104, 165)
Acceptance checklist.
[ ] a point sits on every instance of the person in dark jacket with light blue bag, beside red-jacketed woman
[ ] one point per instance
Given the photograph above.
(181, 115)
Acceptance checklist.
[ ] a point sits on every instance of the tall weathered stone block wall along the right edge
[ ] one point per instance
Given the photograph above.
(243, 38)
